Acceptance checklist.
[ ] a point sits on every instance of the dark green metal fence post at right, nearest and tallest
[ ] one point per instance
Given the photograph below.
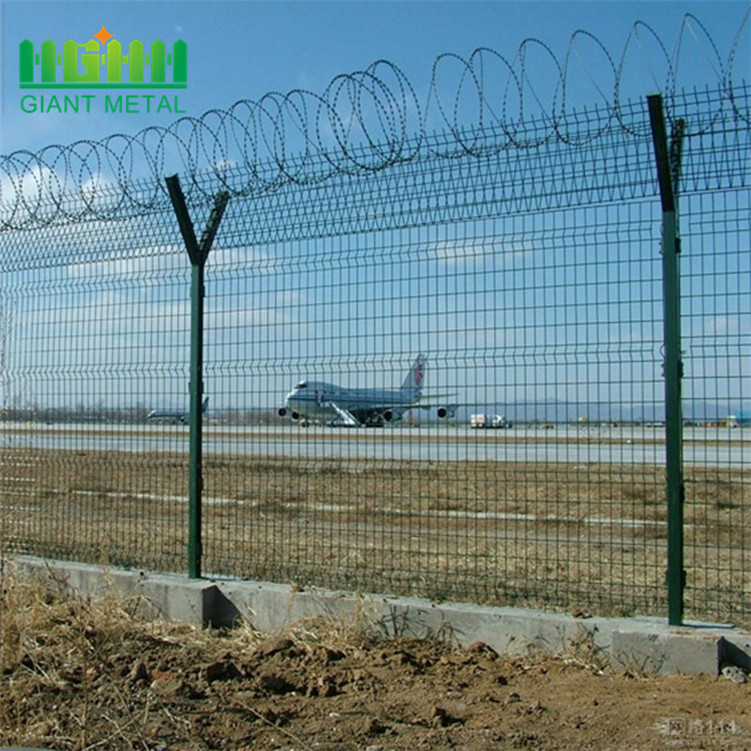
(668, 166)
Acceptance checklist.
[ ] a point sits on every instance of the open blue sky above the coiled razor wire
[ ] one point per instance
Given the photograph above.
(243, 50)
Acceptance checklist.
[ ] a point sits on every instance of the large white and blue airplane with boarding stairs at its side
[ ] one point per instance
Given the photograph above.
(359, 407)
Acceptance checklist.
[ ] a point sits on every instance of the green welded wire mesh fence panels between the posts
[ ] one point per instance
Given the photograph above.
(513, 284)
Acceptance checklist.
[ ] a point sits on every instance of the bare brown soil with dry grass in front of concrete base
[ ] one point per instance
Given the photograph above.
(81, 675)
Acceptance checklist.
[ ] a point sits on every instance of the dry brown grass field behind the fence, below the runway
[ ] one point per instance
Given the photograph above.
(589, 538)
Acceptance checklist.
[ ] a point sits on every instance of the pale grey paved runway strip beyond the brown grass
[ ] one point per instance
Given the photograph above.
(566, 444)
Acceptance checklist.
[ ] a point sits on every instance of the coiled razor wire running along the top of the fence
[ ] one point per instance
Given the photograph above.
(369, 120)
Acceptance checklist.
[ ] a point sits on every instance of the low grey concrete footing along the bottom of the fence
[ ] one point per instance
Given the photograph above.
(641, 644)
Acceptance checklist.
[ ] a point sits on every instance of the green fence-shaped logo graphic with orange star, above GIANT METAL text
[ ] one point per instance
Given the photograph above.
(101, 63)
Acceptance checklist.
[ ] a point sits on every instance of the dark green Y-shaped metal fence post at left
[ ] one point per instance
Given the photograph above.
(198, 254)
